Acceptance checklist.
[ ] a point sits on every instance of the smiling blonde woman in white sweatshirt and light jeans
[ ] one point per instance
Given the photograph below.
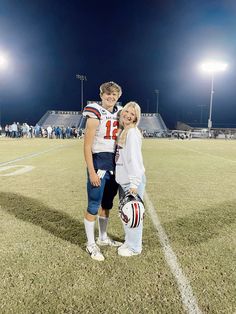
(130, 172)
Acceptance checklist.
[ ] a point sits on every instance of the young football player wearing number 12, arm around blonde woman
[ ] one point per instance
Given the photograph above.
(99, 151)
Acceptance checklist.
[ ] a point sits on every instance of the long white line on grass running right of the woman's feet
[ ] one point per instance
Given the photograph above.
(188, 299)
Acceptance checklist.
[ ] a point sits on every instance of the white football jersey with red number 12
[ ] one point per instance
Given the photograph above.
(106, 133)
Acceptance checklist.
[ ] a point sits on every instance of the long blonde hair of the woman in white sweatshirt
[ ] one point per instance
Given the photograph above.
(123, 134)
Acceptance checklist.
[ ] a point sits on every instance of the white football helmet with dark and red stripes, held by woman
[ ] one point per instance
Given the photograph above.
(131, 209)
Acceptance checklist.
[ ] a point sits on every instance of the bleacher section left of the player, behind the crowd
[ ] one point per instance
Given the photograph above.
(60, 118)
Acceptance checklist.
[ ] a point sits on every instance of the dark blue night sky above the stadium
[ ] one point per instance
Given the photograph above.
(142, 45)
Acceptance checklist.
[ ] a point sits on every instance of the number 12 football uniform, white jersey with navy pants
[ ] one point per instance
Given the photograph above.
(103, 153)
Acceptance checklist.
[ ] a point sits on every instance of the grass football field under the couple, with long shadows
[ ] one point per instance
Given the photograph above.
(44, 267)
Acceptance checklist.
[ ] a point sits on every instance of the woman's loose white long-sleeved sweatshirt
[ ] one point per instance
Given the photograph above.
(129, 160)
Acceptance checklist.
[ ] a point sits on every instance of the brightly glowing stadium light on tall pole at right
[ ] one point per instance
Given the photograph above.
(212, 67)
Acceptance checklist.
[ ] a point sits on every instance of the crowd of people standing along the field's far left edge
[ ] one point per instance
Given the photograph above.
(17, 130)
